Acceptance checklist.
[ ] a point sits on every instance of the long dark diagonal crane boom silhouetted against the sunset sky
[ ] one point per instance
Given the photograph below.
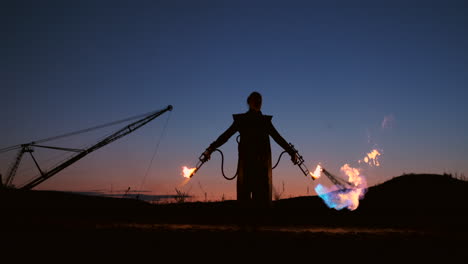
(120, 133)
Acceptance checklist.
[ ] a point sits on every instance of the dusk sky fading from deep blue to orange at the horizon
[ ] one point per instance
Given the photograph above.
(329, 75)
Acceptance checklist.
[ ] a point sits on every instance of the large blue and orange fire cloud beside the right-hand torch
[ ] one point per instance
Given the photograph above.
(349, 197)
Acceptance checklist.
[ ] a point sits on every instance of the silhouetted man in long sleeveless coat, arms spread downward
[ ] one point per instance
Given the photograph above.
(254, 180)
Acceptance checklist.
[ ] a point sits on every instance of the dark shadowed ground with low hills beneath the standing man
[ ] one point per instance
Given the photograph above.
(412, 217)
